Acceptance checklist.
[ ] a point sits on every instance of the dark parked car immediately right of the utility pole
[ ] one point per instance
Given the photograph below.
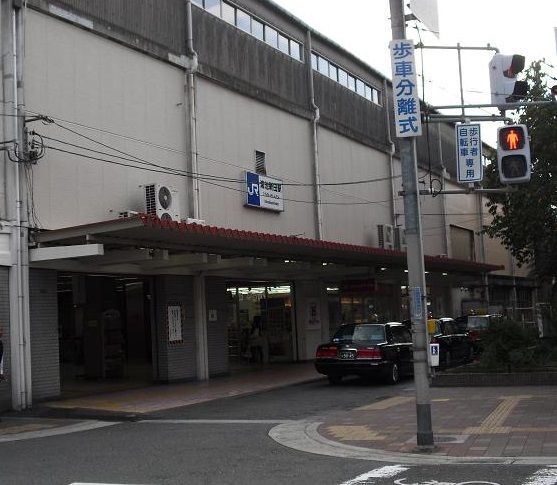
(455, 345)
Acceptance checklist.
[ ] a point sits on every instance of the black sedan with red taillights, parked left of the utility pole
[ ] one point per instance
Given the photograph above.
(367, 350)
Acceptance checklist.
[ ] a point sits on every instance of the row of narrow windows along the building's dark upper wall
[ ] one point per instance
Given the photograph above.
(293, 48)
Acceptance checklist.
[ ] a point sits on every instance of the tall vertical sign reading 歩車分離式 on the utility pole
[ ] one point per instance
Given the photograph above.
(408, 120)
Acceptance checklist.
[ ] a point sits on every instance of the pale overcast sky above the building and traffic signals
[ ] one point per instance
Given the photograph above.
(512, 26)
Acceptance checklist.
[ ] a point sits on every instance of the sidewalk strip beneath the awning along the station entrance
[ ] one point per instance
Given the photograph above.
(133, 404)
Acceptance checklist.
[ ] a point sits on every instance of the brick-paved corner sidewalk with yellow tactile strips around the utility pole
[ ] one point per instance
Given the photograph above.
(466, 421)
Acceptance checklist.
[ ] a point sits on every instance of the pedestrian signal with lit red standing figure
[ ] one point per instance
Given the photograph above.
(513, 154)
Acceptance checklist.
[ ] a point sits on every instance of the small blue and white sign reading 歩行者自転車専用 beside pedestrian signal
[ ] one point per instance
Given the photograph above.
(469, 153)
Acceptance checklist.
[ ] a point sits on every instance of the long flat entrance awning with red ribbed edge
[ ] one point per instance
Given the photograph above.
(149, 244)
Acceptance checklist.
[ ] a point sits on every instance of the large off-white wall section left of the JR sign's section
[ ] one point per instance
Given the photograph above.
(131, 103)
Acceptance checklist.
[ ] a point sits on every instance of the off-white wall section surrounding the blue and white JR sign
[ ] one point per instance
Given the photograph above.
(230, 128)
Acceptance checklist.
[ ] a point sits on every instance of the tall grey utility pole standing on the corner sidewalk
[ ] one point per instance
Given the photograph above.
(415, 258)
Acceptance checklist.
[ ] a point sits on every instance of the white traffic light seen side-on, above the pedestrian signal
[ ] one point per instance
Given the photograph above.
(502, 79)
